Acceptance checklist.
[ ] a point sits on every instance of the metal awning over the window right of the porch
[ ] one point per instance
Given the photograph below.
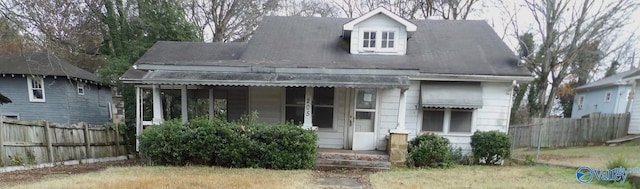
(466, 95)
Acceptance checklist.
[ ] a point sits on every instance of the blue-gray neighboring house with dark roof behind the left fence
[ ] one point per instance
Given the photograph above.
(43, 87)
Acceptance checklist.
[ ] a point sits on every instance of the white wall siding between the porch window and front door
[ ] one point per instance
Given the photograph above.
(334, 138)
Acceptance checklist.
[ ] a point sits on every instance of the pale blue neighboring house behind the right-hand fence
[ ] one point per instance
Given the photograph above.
(610, 95)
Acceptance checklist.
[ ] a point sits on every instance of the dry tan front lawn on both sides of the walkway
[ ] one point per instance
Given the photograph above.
(213, 177)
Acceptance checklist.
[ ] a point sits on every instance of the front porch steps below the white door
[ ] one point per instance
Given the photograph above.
(370, 160)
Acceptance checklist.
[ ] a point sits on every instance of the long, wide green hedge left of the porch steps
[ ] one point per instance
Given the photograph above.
(238, 144)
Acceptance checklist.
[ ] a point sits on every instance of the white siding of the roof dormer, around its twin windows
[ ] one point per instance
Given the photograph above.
(379, 22)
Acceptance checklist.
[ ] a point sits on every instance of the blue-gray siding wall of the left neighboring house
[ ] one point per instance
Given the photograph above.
(62, 102)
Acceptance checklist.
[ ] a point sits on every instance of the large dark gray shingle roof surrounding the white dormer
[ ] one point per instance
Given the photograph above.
(438, 47)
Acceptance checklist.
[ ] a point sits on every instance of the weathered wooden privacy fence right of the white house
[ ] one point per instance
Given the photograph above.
(567, 132)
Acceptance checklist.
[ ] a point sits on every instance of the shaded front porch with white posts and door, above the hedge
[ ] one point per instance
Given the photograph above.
(344, 117)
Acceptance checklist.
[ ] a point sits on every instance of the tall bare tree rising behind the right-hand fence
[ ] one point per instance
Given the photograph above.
(567, 31)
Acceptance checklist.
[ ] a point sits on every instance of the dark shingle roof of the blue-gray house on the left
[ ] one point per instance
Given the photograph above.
(41, 64)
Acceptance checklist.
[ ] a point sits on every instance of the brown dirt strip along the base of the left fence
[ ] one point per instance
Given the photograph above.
(26, 176)
